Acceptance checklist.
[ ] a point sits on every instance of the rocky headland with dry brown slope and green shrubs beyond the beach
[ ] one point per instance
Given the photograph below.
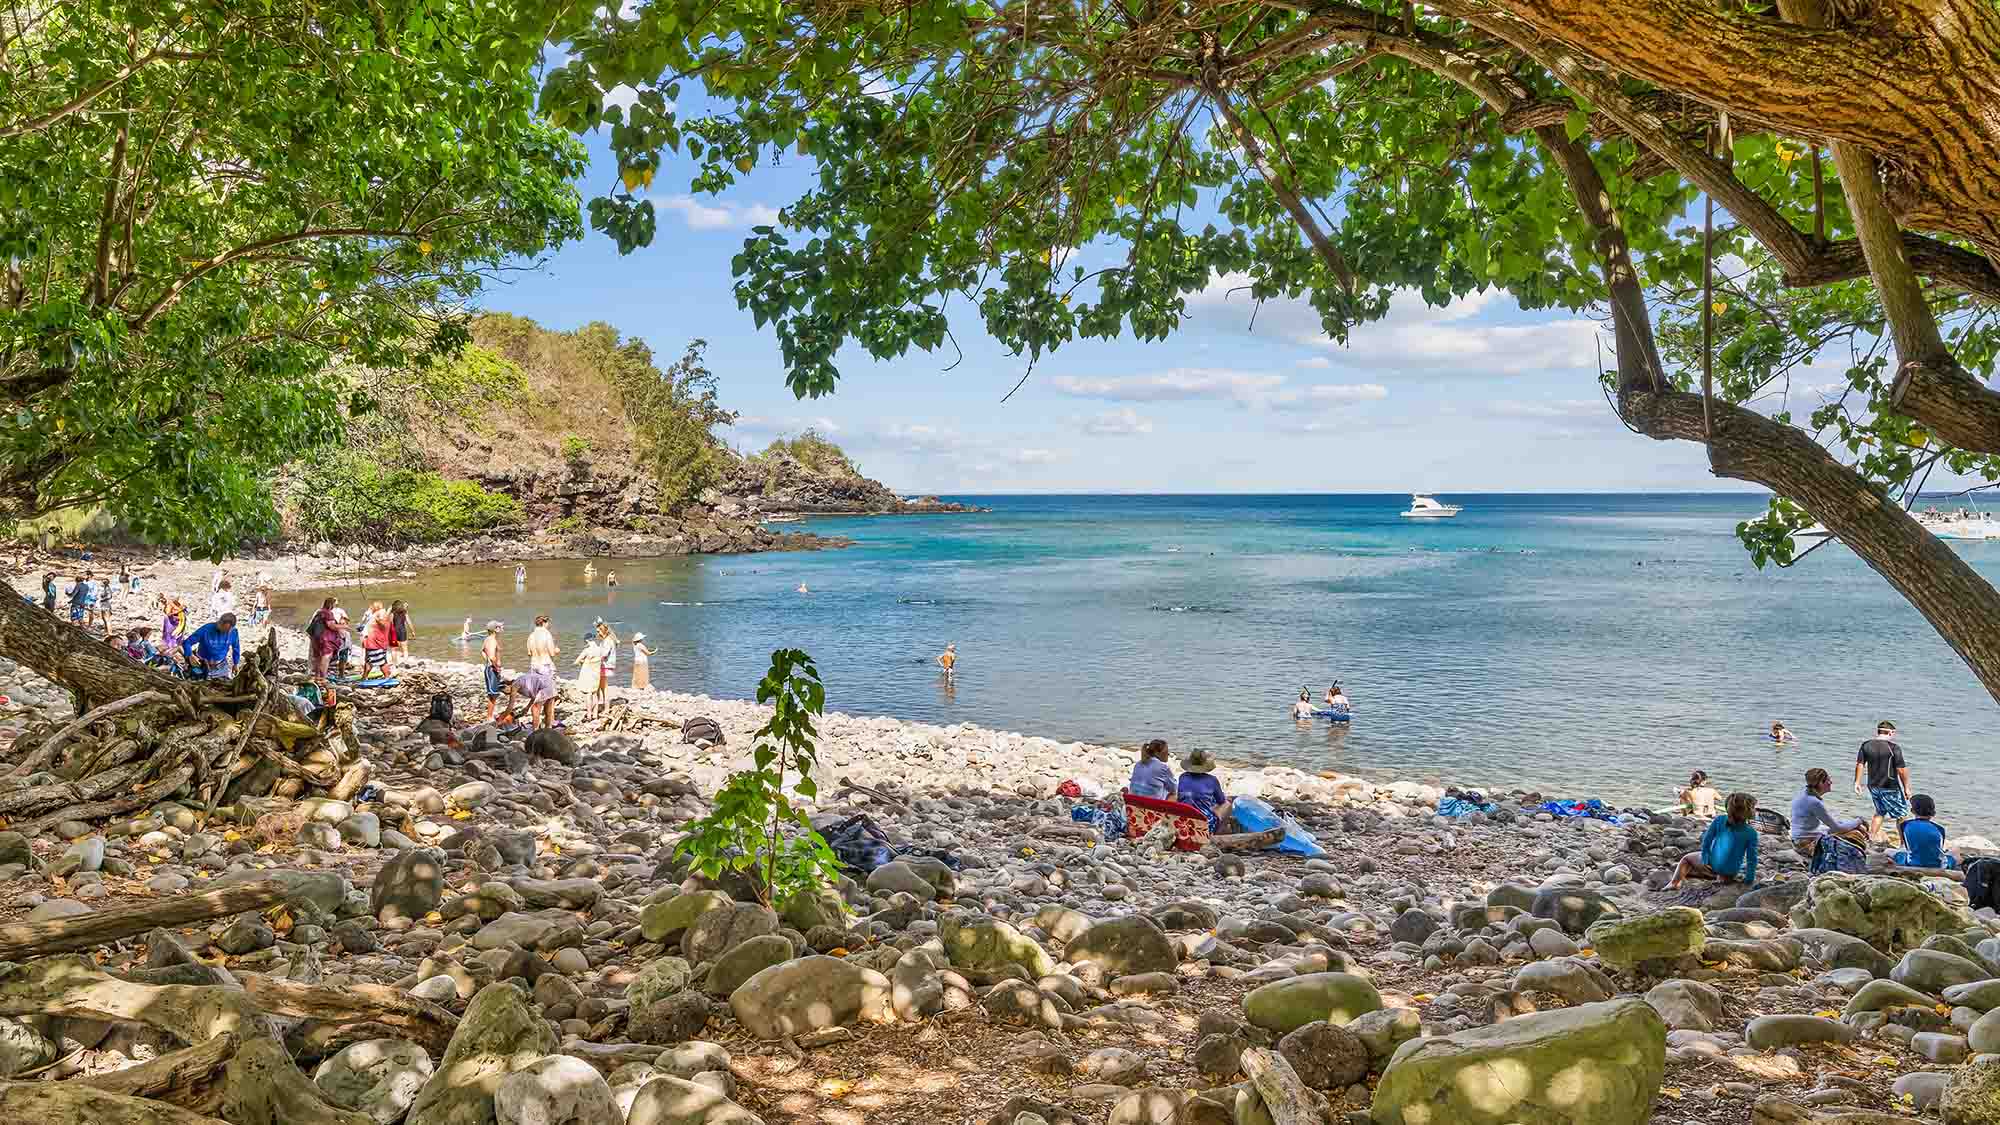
(557, 443)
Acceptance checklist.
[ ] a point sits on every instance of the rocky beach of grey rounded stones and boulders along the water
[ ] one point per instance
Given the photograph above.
(1011, 968)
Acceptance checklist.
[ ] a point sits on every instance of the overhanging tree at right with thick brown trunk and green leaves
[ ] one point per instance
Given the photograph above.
(969, 153)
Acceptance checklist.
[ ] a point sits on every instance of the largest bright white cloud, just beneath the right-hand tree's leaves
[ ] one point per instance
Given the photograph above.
(1413, 337)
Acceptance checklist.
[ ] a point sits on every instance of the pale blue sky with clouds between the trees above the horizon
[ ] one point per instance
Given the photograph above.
(1473, 397)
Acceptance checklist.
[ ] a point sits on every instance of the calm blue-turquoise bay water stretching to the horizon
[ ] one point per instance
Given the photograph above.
(1585, 646)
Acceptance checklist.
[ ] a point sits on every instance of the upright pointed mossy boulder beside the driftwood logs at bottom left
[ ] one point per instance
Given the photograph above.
(501, 1034)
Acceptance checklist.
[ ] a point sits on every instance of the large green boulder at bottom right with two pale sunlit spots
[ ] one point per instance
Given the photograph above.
(1581, 1066)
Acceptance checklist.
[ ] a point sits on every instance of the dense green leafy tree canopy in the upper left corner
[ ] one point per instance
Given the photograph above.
(203, 207)
